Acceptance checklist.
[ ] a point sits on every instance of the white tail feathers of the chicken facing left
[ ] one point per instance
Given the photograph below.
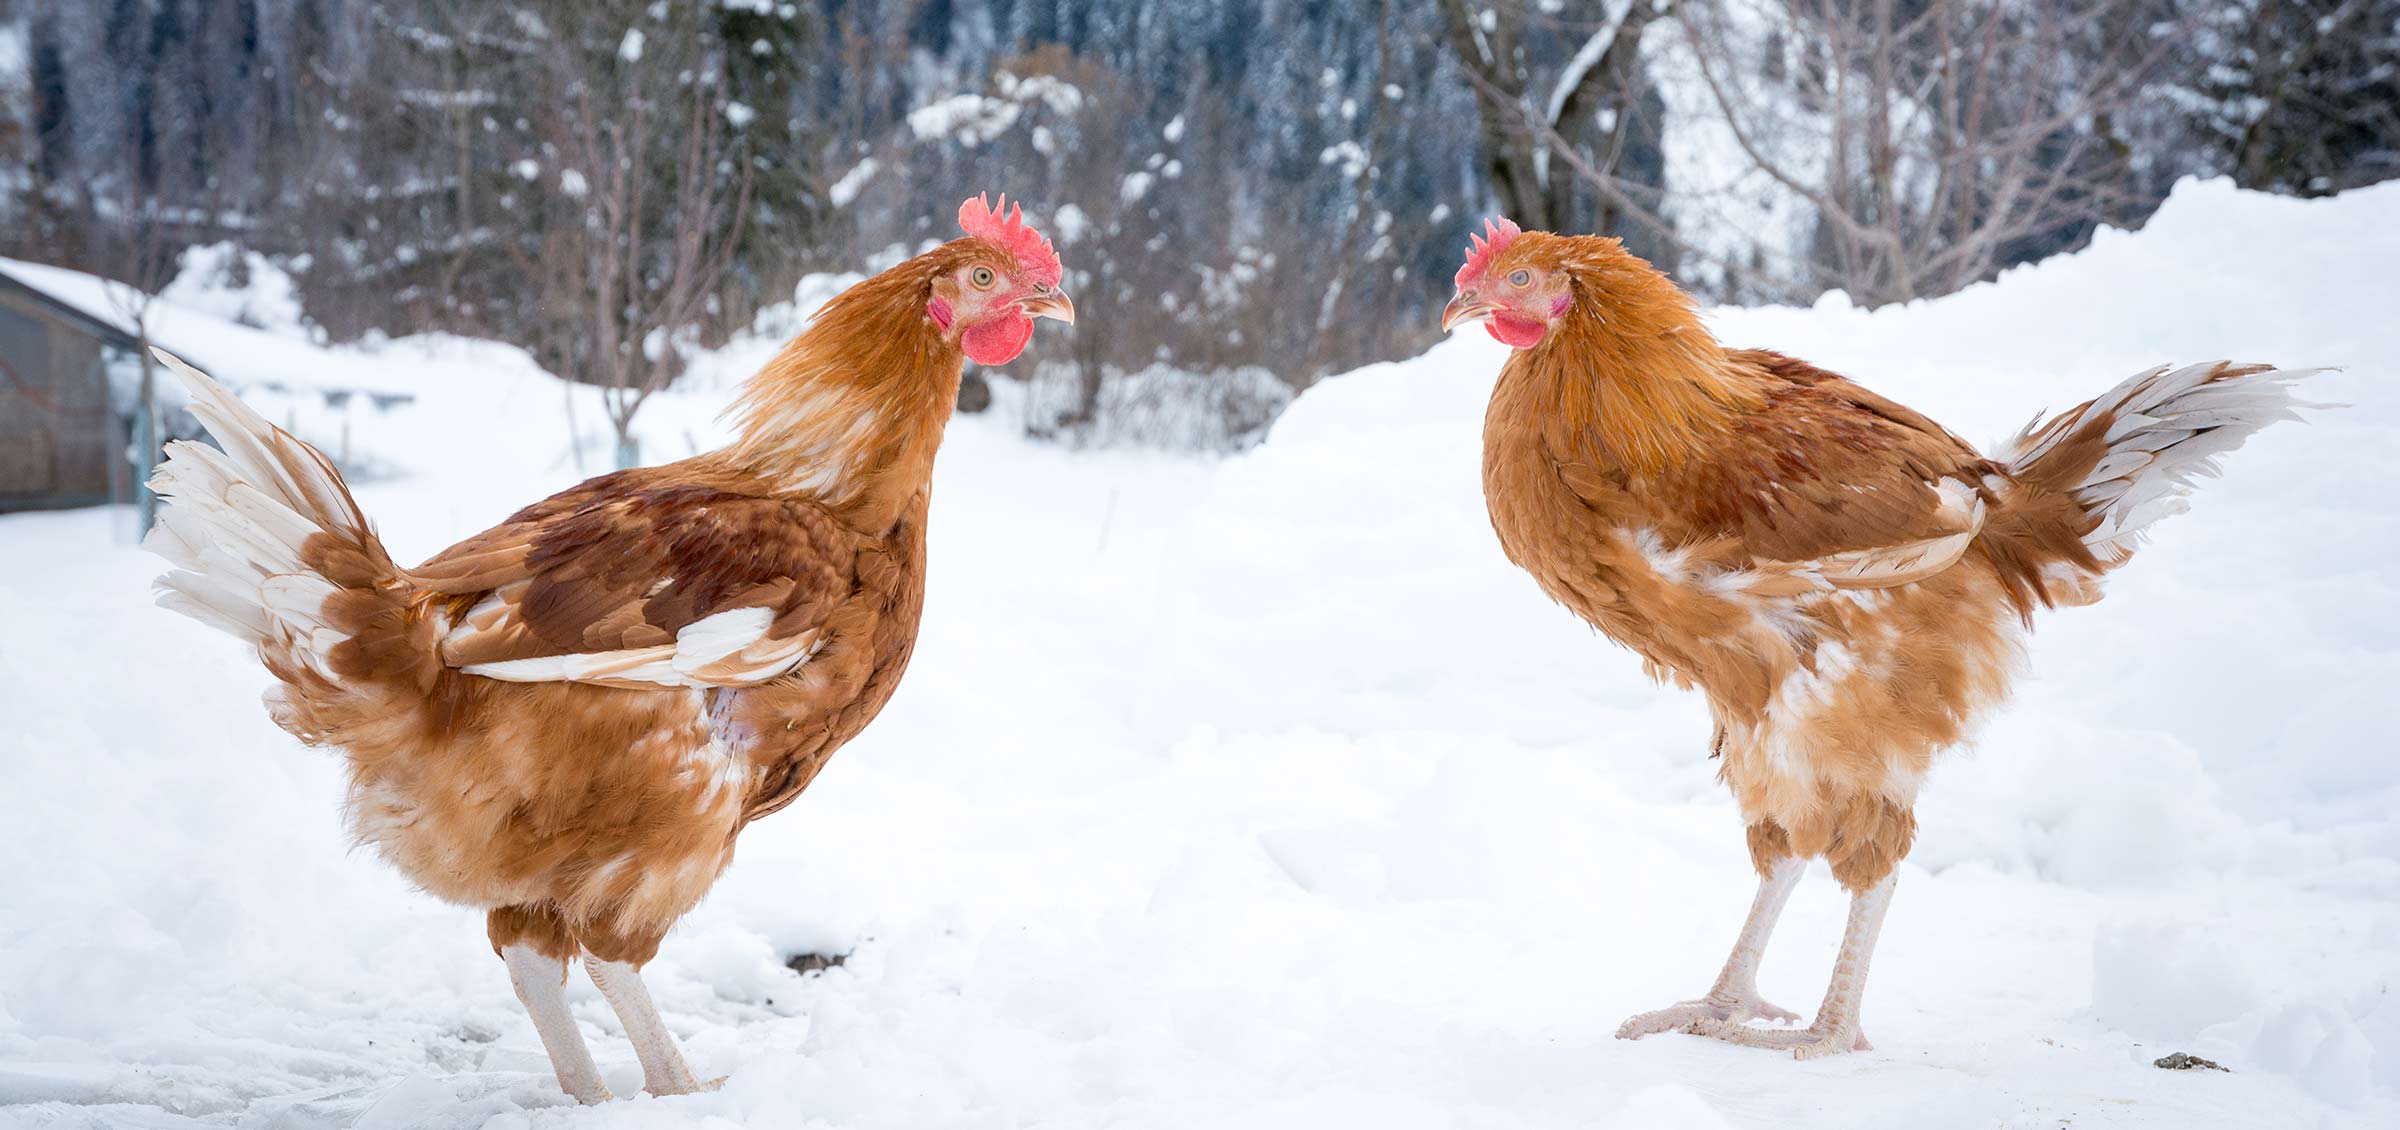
(2166, 431)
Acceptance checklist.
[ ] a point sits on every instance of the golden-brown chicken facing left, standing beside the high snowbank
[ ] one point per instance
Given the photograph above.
(1842, 579)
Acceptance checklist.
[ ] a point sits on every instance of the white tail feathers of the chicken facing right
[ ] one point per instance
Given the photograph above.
(239, 522)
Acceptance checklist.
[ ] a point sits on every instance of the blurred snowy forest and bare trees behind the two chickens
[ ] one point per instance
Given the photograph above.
(1249, 196)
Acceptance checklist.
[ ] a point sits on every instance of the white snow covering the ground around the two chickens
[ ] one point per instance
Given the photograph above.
(1264, 793)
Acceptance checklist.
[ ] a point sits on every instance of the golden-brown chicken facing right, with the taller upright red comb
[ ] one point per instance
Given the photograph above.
(572, 716)
